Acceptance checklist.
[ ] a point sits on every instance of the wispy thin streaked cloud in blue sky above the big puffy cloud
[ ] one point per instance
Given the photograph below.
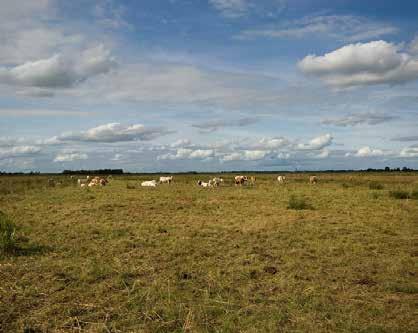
(342, 27)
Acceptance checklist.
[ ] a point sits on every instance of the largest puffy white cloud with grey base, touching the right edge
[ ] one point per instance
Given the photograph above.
(372, 63)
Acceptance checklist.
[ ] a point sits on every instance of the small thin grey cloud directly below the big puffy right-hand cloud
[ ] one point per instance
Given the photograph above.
(368, 118)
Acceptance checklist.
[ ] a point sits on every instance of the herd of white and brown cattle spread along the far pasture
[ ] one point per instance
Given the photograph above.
(214, 182)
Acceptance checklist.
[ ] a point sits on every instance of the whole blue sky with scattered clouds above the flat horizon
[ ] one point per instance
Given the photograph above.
(208, 85)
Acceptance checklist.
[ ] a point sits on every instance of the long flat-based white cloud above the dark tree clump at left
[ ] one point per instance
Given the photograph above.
(116, 132)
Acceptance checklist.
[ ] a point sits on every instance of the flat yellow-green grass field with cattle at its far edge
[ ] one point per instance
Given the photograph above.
(180, 258)
